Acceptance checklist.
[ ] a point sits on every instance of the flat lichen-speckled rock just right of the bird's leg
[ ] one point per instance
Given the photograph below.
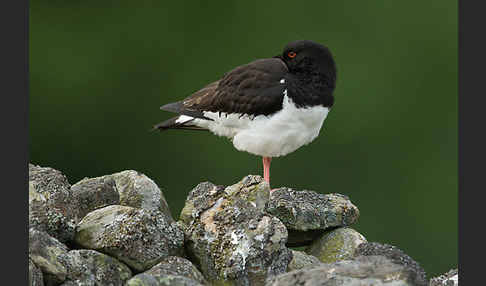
(303, 211)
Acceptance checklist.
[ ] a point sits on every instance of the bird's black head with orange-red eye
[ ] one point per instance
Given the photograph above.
(310, 58)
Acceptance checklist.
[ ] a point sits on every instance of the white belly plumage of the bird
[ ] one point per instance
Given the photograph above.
(270, 136)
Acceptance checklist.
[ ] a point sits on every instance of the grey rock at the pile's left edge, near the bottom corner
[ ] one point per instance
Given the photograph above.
(45, 251)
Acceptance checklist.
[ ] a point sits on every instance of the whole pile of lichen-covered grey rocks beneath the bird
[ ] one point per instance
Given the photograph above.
(117, 230)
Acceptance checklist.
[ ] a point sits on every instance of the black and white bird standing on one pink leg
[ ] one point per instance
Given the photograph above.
(269, 107)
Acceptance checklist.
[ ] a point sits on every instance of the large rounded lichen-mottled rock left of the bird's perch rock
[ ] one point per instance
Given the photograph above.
(138, 237)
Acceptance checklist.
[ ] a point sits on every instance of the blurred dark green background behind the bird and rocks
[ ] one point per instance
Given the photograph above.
(99, 70)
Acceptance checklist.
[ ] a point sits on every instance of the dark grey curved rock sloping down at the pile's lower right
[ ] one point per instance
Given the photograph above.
(397, 256)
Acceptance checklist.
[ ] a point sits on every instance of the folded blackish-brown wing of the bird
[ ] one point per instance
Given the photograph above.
(252, 89)
